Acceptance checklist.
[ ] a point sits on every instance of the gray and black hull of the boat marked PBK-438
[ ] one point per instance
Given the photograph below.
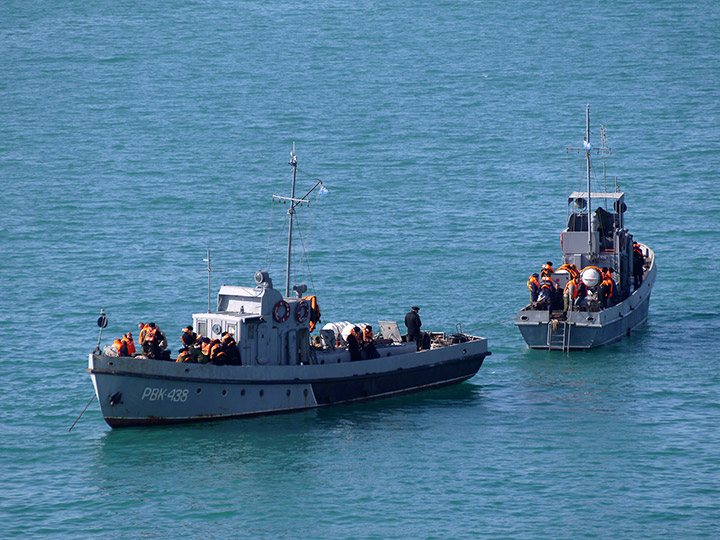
(139, 391)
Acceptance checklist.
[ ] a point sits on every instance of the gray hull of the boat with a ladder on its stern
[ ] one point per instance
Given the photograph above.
(585, 330)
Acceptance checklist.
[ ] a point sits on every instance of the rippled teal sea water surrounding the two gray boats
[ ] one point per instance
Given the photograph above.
(135, 135)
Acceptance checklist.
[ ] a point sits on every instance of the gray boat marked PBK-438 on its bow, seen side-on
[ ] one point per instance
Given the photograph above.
(281, 370)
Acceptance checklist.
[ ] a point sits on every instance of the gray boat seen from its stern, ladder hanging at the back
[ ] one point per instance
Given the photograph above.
(592, 241)
